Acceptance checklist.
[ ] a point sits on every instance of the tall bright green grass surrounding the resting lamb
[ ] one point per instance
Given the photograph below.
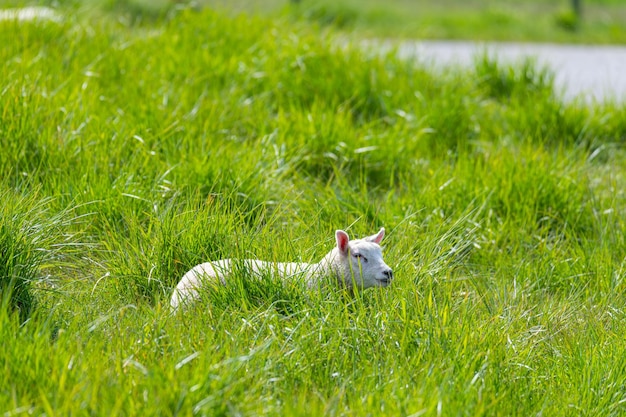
(132, 150)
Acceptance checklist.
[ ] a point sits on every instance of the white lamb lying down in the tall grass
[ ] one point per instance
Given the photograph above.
(352, 263)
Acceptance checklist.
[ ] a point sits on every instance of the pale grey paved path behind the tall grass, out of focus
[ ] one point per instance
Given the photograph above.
(594, 73)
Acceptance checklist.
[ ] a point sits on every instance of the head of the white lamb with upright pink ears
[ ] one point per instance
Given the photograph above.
(359, 263)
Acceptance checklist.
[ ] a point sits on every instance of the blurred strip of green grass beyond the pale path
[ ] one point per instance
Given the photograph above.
(602, 21)
